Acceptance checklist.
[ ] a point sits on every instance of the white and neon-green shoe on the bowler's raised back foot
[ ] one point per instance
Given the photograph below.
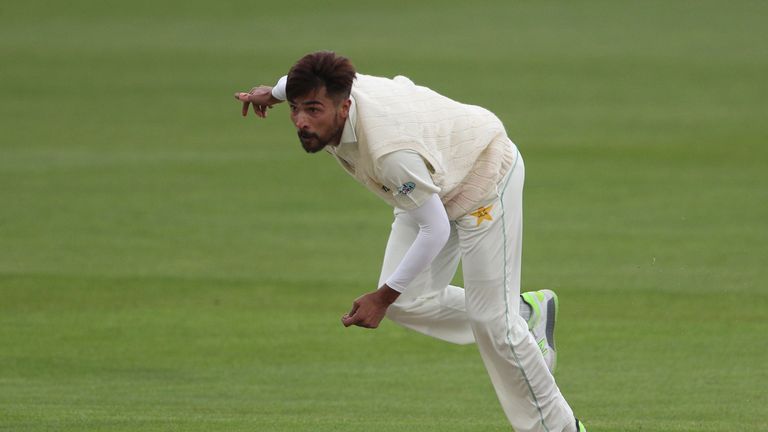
(544, 307)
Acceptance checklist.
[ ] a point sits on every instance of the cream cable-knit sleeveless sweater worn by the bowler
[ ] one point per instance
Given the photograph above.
(466, 147)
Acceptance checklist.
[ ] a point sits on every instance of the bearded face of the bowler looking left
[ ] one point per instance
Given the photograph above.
(319, 120)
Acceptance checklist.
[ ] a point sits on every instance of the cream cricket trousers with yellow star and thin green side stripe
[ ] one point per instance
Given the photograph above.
(486, 311)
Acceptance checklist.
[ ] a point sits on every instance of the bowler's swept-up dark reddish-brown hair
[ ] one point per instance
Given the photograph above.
(321, 69)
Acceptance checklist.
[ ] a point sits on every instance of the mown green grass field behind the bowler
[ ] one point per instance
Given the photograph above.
(166, 265)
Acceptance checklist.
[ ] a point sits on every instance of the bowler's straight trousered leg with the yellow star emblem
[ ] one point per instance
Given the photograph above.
(491, 248)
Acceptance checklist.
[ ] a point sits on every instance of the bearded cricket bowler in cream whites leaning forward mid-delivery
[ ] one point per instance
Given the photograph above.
(455, 180)
